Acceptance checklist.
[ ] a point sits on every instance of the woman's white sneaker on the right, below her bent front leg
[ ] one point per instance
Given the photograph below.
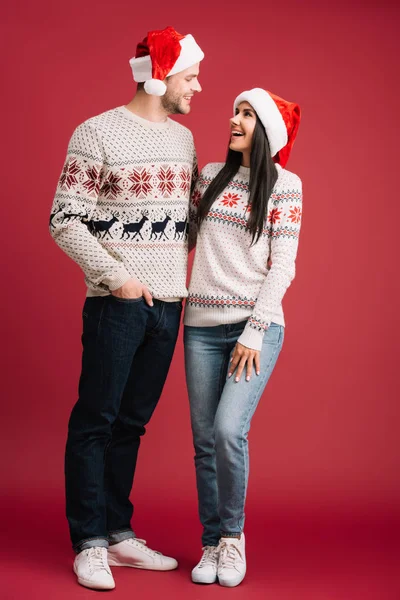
(232, 561)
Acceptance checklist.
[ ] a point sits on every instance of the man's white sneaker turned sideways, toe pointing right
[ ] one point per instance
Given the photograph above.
(134, 553)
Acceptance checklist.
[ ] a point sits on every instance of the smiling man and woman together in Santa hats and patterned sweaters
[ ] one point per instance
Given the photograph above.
(128, 193)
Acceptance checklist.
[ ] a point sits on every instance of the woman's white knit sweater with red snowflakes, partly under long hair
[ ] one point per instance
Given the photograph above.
(231, 280)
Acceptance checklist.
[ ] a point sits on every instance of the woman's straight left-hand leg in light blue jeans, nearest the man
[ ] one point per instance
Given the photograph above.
(206, 363)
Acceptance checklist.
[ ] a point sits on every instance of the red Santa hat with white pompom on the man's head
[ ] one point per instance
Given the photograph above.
(161, 54)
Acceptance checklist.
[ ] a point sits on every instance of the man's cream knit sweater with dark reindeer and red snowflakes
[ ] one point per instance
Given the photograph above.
(121, 205)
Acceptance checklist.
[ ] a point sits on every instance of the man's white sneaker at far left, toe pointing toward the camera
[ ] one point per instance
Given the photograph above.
(92, 570)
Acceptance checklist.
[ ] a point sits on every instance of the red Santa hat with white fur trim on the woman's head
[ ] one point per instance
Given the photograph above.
(280, 118)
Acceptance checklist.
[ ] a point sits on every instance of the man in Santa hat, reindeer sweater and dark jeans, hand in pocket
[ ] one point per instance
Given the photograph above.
(121, 213)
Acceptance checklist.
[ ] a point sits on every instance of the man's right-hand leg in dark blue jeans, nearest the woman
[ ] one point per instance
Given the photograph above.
(141, 394)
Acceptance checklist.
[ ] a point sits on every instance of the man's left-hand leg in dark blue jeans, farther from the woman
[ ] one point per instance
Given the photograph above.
(113, 329)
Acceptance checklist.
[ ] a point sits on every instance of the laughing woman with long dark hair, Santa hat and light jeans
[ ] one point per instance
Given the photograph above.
(247, 214)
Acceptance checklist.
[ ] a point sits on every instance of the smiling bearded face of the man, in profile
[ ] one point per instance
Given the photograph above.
(180, 91)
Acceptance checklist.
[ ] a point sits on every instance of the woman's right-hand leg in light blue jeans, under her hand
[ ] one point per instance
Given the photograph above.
(232, 423)
